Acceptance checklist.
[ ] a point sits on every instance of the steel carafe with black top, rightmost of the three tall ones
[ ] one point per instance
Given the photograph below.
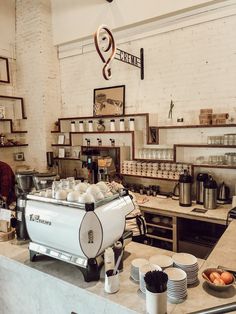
(210, 194)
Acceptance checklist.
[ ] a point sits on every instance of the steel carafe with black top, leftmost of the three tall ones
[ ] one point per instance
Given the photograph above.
(185, 189)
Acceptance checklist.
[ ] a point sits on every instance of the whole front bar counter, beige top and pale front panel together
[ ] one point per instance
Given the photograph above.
(52, 286)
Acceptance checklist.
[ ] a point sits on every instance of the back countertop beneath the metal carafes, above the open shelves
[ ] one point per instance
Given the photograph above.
(167, 205)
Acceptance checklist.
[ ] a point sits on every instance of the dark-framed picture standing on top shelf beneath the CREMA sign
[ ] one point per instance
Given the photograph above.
(109, 101)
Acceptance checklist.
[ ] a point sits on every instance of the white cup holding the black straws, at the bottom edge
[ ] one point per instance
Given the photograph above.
(156, 303)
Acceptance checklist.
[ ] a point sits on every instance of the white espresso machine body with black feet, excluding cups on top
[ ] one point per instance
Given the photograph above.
(76, 233)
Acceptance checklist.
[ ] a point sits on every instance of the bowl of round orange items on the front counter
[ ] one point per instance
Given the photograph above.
(218, 279)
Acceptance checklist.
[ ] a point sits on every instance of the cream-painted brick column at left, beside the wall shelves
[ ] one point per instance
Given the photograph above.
(37, 76)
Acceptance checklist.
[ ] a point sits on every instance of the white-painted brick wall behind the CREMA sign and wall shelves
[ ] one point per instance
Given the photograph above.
(194, 66)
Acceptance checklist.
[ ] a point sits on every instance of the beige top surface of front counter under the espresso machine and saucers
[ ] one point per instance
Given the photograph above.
(129, 295)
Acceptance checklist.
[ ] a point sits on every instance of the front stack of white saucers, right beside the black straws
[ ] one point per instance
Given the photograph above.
(176, 285)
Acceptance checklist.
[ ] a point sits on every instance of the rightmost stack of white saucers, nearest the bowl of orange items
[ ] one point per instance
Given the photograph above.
(189, 264)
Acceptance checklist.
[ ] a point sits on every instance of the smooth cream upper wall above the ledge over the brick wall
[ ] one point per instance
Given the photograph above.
(78, 19)
